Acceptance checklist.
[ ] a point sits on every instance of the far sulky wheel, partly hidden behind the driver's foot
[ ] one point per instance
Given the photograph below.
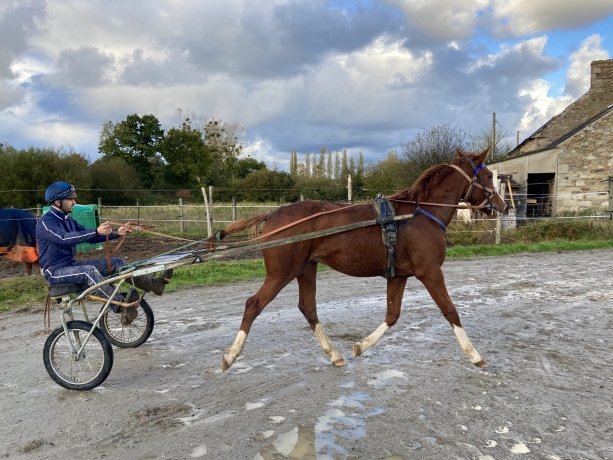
(127, 332)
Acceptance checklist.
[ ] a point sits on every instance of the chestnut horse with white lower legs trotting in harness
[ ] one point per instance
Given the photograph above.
(419, 251)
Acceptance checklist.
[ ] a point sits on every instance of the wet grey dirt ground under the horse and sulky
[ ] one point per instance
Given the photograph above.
(543, 321)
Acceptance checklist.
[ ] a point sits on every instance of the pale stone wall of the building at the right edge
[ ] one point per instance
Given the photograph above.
(585, 160)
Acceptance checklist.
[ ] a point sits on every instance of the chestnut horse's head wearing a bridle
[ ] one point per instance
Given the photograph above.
(480, 191)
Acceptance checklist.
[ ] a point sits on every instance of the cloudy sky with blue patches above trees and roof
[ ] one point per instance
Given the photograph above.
(361, 75)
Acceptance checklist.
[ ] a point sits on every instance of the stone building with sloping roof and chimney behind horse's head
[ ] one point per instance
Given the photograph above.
(563, 164)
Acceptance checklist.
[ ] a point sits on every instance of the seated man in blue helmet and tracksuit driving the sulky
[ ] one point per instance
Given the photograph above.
(58, 234)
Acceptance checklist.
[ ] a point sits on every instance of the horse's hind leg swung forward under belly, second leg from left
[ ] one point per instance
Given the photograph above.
(308, 307)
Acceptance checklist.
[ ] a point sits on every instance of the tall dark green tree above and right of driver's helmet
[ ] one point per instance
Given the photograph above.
(138, 141)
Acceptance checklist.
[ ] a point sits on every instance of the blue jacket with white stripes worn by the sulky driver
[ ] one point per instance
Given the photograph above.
(57, 236)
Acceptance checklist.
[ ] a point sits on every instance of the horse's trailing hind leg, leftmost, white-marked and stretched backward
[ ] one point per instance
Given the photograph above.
(253, 307)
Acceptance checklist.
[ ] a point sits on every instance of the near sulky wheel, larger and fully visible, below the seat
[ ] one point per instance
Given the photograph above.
(93, 366)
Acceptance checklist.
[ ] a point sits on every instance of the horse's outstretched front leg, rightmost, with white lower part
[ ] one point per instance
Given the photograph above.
(434, 281)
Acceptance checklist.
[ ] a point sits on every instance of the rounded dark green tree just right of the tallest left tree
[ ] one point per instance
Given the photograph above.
(188, 160)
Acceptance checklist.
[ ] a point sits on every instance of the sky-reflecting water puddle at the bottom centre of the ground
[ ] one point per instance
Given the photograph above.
(334, 434)
